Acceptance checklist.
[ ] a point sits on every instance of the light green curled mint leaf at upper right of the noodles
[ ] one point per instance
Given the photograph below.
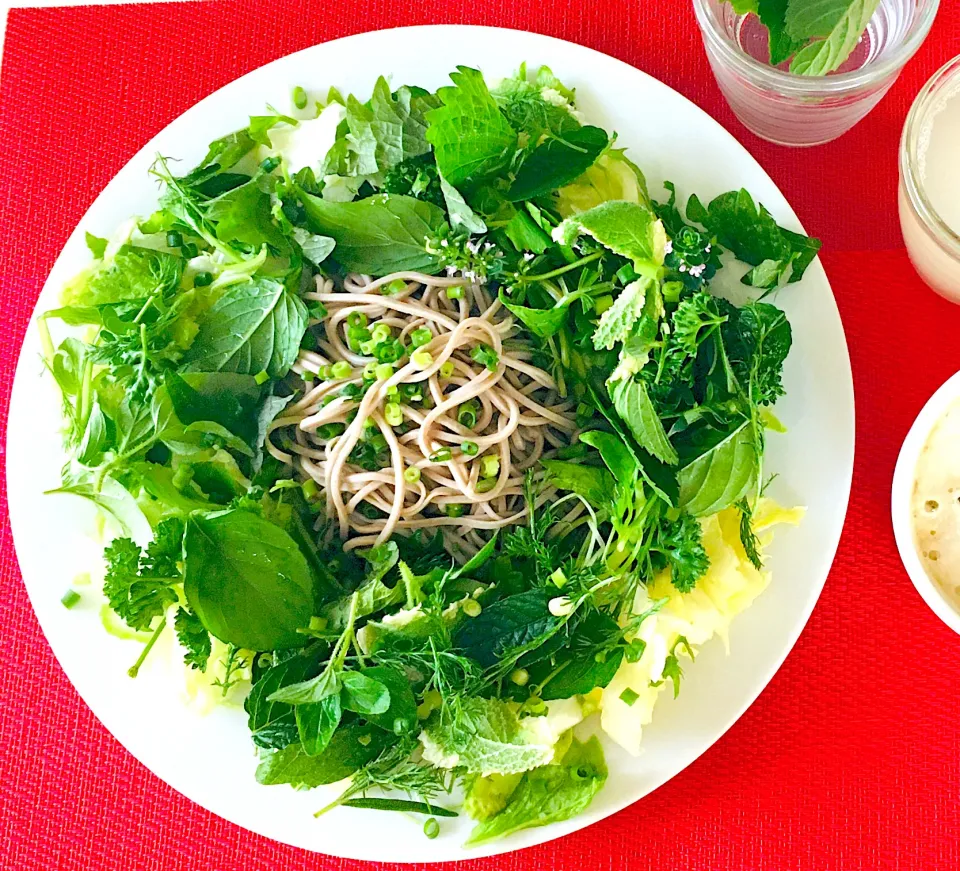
(629, 229)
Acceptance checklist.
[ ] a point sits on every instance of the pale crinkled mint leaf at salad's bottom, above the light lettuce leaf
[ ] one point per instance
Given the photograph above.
(483, 736)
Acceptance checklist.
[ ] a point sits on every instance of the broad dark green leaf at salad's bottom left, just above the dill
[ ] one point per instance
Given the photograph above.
(351, 747)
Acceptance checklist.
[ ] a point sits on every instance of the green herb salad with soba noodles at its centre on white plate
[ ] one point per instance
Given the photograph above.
(445, 444)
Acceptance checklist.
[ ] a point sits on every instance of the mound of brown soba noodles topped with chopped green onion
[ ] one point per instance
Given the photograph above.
(519, 415)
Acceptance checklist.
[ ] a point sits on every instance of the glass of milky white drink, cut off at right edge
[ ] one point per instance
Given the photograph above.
(930, 182)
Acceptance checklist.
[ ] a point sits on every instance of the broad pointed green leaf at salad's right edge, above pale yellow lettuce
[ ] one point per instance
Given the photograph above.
(721, 470)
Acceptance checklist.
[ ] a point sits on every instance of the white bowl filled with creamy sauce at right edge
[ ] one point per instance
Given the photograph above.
(925, 503)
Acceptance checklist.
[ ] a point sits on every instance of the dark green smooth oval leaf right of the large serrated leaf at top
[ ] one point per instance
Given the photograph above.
(557, 161)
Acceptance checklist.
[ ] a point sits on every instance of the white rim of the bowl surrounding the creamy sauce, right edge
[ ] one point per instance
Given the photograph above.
(902, 496)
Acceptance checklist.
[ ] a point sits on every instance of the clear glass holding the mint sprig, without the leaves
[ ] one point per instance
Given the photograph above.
(789, 109)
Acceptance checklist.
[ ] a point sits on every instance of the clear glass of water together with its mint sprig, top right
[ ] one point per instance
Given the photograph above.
(803, 72)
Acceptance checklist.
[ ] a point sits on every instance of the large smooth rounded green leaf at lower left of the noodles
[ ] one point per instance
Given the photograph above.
(246, 580)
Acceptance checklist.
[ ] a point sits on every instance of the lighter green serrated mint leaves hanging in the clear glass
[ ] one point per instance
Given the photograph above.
(841, 24)
